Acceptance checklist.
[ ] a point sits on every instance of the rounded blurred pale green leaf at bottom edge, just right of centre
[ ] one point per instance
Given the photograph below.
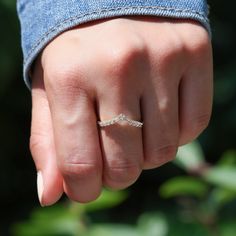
(153, 224)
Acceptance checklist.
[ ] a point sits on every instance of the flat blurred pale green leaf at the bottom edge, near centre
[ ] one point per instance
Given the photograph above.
(112, 230)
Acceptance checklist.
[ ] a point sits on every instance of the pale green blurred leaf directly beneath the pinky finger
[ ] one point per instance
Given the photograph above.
(190, 157)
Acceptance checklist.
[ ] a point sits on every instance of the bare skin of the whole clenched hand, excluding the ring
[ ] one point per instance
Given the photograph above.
(151, 69)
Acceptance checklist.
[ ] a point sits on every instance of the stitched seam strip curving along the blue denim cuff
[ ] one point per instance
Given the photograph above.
(110, 10)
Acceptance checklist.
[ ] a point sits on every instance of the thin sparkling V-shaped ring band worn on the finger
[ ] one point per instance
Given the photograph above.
(120, 118)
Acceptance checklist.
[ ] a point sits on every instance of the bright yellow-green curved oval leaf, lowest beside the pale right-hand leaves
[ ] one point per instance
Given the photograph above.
(182, 186)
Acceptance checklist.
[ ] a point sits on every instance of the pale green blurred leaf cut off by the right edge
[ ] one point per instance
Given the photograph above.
(224, 177)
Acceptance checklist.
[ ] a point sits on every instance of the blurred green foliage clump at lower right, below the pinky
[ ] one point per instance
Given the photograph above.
(206, 190)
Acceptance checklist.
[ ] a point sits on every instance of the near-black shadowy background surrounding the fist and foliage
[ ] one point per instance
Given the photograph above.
(17, 173)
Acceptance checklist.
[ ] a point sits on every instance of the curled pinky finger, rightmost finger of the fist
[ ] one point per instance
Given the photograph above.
(196, 95)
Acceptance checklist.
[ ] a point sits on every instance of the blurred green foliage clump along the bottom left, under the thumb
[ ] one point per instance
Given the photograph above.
(71, 219)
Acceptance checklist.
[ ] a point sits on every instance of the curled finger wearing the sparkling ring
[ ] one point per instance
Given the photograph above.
(121, 143)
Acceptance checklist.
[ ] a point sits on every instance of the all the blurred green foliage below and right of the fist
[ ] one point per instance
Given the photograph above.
(202, 194)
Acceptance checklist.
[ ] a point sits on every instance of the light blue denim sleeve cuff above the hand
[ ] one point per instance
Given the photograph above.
(42, 20)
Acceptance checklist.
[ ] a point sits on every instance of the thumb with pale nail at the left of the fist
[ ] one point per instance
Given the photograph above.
(49, 179)
